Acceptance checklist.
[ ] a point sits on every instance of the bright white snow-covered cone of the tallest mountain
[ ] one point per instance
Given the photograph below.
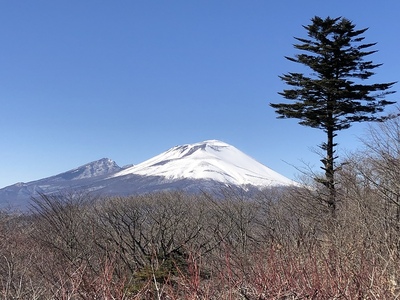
(209, 160)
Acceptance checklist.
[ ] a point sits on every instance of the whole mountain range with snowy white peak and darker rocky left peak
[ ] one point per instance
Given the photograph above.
(209, 165)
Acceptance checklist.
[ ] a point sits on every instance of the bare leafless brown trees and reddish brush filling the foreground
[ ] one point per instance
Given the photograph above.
(280, 244)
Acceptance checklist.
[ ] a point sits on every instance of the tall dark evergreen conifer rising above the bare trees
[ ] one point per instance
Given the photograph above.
(333, 95)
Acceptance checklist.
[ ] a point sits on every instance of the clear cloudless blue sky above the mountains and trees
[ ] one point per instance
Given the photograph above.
(127, 80)
